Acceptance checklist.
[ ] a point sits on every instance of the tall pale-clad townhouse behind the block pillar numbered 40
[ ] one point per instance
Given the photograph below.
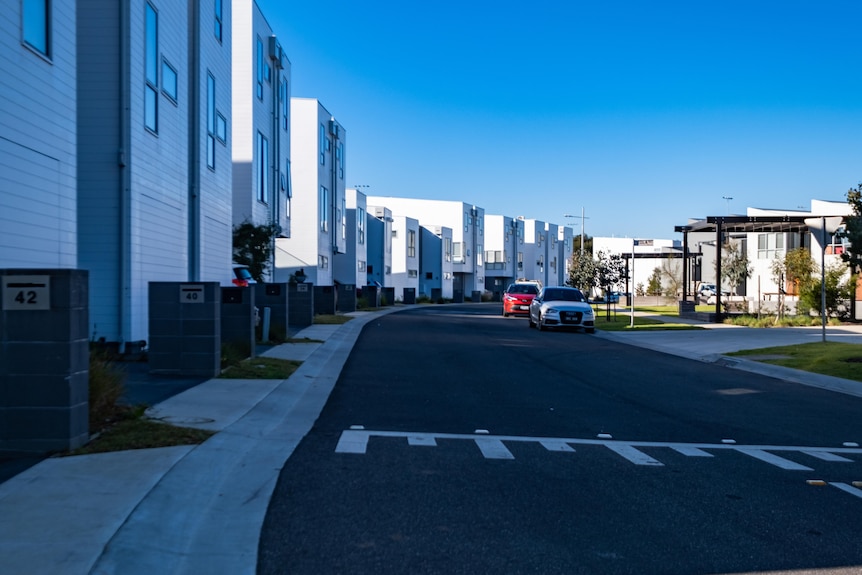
(154, 156)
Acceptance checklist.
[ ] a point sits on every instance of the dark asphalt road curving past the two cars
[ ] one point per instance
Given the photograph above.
(458, 441)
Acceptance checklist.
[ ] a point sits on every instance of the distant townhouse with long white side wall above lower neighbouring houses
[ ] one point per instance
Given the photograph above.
(468, 236)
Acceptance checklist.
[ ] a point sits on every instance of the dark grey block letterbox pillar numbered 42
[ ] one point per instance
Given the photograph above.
(44, 360)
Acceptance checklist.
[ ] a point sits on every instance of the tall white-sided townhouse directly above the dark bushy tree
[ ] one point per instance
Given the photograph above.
(261, 122)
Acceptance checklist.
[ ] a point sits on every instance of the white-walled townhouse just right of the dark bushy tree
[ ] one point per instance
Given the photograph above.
(318, 207)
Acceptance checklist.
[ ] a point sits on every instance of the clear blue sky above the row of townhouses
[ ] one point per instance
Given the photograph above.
(642, 113)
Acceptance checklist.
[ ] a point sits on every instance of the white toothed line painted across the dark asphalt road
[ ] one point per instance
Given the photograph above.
(493, 447)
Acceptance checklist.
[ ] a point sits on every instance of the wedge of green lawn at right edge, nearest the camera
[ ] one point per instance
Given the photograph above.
(842, 360)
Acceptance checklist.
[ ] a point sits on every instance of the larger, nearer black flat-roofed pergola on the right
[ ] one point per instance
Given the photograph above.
(736, 224)
